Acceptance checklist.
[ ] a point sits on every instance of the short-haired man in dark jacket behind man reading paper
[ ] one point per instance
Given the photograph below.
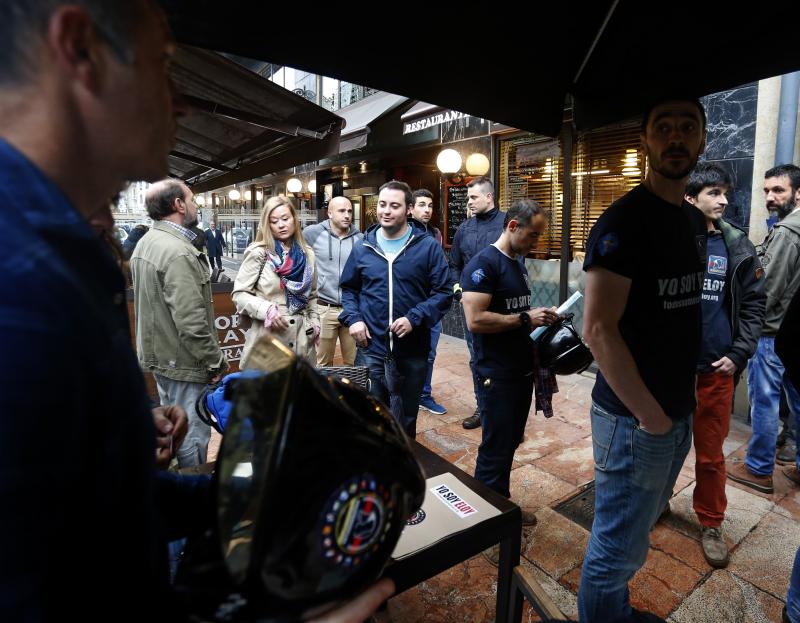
(473, 235)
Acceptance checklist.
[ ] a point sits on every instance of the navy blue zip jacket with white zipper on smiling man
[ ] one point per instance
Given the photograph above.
(415, 284)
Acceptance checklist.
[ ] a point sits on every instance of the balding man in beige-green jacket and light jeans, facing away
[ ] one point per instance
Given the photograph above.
(175, 335)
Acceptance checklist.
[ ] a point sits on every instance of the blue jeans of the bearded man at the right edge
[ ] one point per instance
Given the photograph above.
(765, 377)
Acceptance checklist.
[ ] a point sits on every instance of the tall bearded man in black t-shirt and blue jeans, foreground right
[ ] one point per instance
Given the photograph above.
(644, 260)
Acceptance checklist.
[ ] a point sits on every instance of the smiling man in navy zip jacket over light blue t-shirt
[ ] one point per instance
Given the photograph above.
(394, 289)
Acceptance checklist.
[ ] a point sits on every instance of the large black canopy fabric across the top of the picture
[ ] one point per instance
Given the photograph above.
(611, 56)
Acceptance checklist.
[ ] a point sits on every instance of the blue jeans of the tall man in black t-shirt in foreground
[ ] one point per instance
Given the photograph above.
(634, 475)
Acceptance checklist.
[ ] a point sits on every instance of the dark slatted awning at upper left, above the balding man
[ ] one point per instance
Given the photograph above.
(242, 125)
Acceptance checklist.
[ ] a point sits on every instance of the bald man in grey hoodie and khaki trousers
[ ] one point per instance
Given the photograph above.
(332, 241)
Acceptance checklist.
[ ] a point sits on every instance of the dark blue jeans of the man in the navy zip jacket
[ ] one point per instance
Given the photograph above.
(413, 370)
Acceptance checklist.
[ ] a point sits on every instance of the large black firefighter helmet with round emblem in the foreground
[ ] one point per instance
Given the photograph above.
(314, 482)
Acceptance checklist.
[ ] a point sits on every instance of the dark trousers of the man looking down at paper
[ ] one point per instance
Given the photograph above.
(508, 402)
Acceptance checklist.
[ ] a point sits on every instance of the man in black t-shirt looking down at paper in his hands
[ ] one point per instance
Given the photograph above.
(497, 308)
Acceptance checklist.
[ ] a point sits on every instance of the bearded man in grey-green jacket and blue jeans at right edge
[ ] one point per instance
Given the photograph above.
(780, 257)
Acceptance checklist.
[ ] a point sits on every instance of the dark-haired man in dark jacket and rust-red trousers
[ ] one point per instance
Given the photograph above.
(733, 310)
